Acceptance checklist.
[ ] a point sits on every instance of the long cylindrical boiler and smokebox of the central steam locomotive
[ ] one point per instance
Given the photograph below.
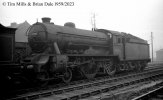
(69, 39)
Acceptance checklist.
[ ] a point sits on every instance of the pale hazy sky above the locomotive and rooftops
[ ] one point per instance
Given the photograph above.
(137, 17)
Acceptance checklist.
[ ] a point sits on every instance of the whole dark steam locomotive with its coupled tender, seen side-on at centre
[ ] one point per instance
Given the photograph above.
(65, 51)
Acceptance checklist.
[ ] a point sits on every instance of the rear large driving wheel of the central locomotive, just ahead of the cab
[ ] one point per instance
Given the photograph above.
(110, 68)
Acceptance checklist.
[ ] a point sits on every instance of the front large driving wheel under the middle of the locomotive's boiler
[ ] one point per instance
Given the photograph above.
(89, 70)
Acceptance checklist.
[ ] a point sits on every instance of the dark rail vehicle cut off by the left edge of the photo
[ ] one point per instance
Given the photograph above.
(7, 58)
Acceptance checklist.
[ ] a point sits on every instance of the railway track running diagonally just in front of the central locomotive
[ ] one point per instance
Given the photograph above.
(80, 89)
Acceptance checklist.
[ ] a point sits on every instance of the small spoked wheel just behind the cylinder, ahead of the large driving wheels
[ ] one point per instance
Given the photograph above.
(67, 76)
